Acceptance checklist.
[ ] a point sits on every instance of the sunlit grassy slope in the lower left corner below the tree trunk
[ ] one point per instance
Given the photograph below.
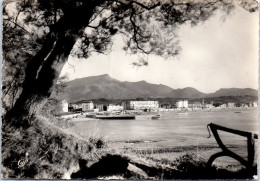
(42, 149)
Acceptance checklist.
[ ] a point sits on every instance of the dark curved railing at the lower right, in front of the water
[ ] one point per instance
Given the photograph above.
(226, 152)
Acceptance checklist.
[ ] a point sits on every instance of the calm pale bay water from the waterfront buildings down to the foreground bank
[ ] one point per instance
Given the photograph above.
(175, 134)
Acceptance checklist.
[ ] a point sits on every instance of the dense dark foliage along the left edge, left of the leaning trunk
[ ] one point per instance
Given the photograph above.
(18, 46)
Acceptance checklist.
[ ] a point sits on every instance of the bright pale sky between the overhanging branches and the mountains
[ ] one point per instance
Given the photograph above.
(219, 53)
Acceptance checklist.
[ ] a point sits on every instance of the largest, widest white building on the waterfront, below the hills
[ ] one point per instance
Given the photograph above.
(142, 105)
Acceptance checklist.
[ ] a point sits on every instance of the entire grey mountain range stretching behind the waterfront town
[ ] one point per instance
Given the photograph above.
(103, 86)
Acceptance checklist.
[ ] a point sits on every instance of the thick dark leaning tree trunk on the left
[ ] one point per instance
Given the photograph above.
(43, 69)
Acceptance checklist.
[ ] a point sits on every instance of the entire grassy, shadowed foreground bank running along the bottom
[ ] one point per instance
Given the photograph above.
(46, 151)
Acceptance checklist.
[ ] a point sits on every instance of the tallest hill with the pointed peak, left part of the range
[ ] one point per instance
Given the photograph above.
(104, 86)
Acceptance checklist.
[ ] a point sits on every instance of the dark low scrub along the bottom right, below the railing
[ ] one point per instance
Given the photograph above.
(188, 166)
